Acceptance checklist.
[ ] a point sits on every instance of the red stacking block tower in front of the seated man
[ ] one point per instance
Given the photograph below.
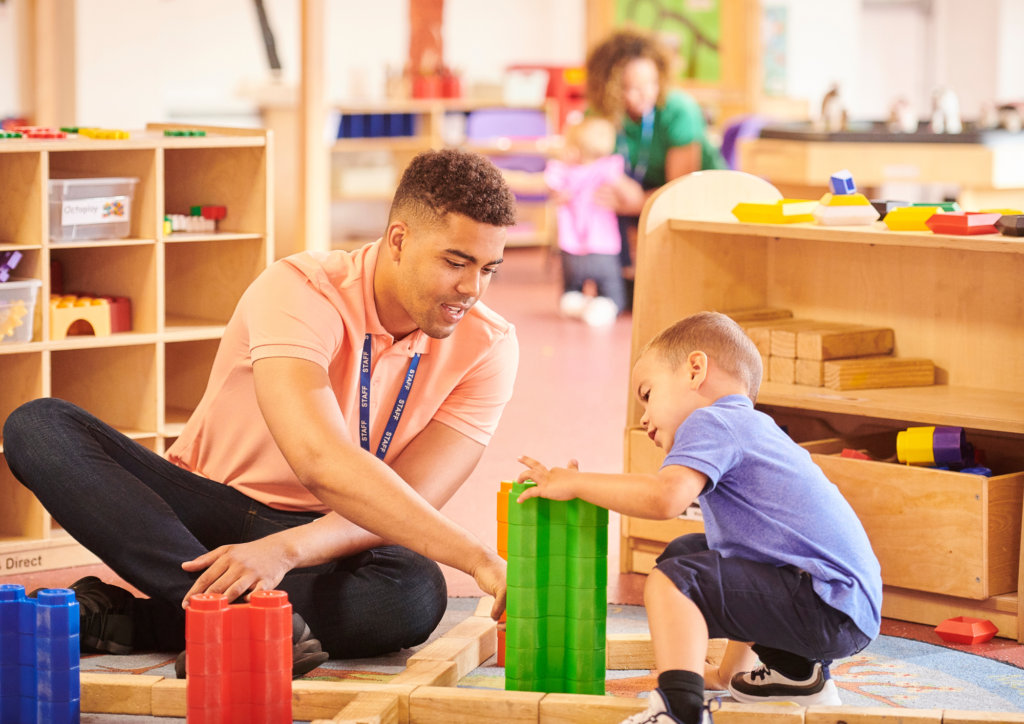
(239, 660)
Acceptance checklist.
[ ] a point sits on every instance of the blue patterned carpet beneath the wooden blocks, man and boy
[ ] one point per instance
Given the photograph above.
(897, 670)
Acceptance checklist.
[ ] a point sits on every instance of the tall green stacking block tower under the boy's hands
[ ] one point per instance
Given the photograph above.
(558, 595)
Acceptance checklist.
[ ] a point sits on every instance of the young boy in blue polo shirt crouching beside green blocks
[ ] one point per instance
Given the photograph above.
(785, 570)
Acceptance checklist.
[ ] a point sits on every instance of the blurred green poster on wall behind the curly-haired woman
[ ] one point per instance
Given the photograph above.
(691, 28)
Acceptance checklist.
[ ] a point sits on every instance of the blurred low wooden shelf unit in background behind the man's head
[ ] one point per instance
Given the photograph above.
(377, 163)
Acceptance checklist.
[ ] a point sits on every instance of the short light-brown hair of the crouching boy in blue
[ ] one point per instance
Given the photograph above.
(718, 337)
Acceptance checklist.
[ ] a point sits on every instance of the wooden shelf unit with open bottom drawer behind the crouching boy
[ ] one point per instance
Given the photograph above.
(950, 543)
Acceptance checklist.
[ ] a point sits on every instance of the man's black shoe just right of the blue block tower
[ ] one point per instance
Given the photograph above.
(106, 617)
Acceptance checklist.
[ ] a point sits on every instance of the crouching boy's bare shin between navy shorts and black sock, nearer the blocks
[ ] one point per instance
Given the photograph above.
(678, 630)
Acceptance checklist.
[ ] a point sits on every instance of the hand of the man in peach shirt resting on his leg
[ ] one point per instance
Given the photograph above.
(238, 570)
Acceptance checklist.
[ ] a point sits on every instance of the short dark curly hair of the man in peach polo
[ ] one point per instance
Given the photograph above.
(453, 182)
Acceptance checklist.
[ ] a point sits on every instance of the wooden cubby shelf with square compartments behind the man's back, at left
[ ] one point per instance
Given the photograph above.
(184, 289)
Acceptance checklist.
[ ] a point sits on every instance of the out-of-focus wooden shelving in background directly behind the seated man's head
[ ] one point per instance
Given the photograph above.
(429, 125)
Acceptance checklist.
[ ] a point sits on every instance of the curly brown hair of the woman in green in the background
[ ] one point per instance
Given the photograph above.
(606, 65)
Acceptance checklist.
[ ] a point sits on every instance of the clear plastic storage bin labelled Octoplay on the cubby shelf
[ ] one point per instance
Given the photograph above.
(91, 208)
